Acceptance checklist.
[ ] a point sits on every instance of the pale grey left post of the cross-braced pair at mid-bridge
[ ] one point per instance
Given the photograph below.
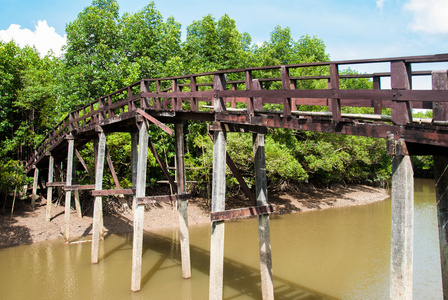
(218, 204)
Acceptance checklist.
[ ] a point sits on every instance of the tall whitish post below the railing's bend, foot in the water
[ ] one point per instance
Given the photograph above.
(140, 209)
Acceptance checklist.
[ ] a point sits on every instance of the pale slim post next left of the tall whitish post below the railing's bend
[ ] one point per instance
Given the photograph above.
(98, 205)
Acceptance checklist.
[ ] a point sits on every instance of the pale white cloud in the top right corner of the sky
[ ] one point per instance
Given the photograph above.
(429, 15)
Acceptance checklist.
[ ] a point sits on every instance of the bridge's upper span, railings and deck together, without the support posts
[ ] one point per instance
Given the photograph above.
(273, 97)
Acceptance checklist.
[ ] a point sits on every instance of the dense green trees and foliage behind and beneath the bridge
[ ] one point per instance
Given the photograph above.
(106, 51)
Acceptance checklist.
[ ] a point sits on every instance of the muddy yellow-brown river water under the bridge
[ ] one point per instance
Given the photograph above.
(340, 253)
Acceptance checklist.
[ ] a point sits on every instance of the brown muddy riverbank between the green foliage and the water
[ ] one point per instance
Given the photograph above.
(29, 226)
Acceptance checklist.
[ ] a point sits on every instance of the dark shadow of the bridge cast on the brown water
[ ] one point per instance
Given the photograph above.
(238, 276)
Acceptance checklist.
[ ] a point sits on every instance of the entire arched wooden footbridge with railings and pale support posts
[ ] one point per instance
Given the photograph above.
(249, 101)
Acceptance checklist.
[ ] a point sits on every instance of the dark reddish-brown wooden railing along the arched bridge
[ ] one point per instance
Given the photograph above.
(272, 90)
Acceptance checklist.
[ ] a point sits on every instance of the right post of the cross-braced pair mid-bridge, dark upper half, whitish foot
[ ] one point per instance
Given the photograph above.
(264, 236)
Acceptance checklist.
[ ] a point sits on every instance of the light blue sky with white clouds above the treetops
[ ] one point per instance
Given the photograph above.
(350, 29)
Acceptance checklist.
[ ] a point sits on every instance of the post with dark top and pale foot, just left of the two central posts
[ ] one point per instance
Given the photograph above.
(182, 204)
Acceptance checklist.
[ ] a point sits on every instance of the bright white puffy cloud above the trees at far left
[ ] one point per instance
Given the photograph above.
(44, 37)
